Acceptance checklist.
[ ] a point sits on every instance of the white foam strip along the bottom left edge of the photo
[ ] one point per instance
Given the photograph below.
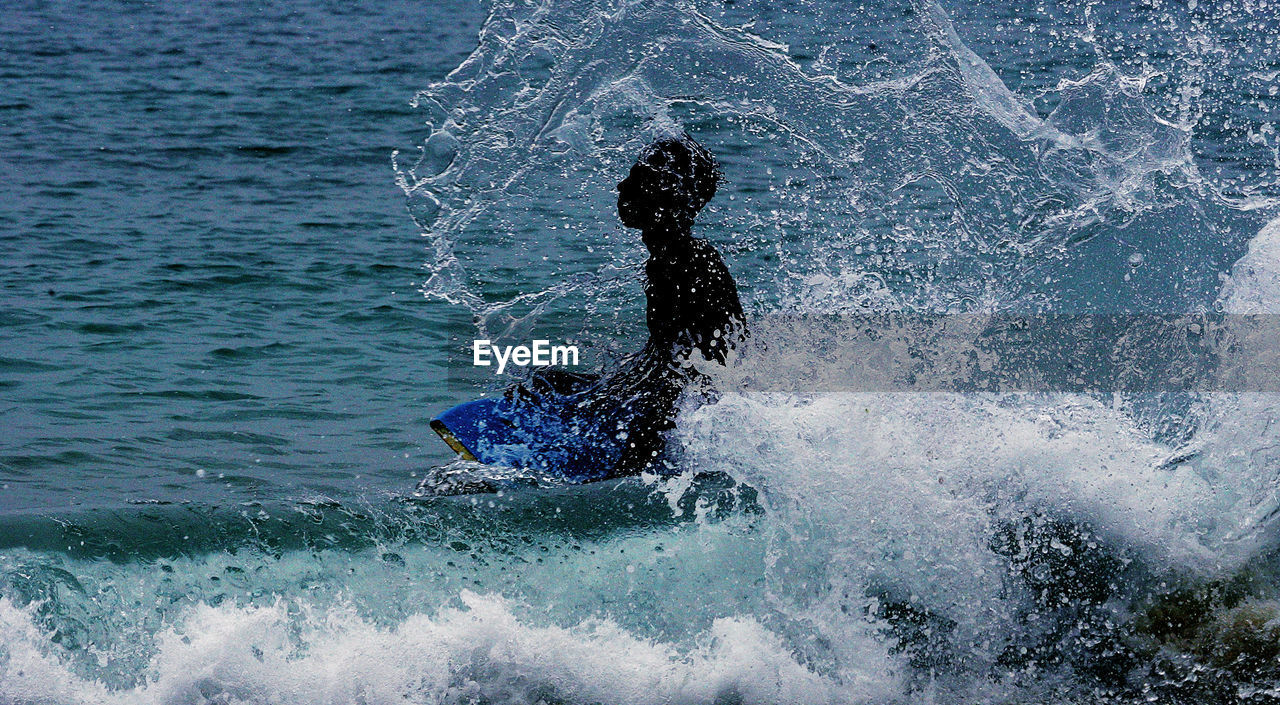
(482, 652)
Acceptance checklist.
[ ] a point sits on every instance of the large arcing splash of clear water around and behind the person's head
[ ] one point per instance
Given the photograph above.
(930, 173)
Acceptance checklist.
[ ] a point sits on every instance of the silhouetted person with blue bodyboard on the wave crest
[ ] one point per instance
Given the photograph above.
(582, 428)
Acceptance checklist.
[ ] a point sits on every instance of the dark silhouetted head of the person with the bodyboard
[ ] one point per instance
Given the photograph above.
(671, 181)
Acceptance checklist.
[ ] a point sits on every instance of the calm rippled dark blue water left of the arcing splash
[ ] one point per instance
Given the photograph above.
(208, 264)
